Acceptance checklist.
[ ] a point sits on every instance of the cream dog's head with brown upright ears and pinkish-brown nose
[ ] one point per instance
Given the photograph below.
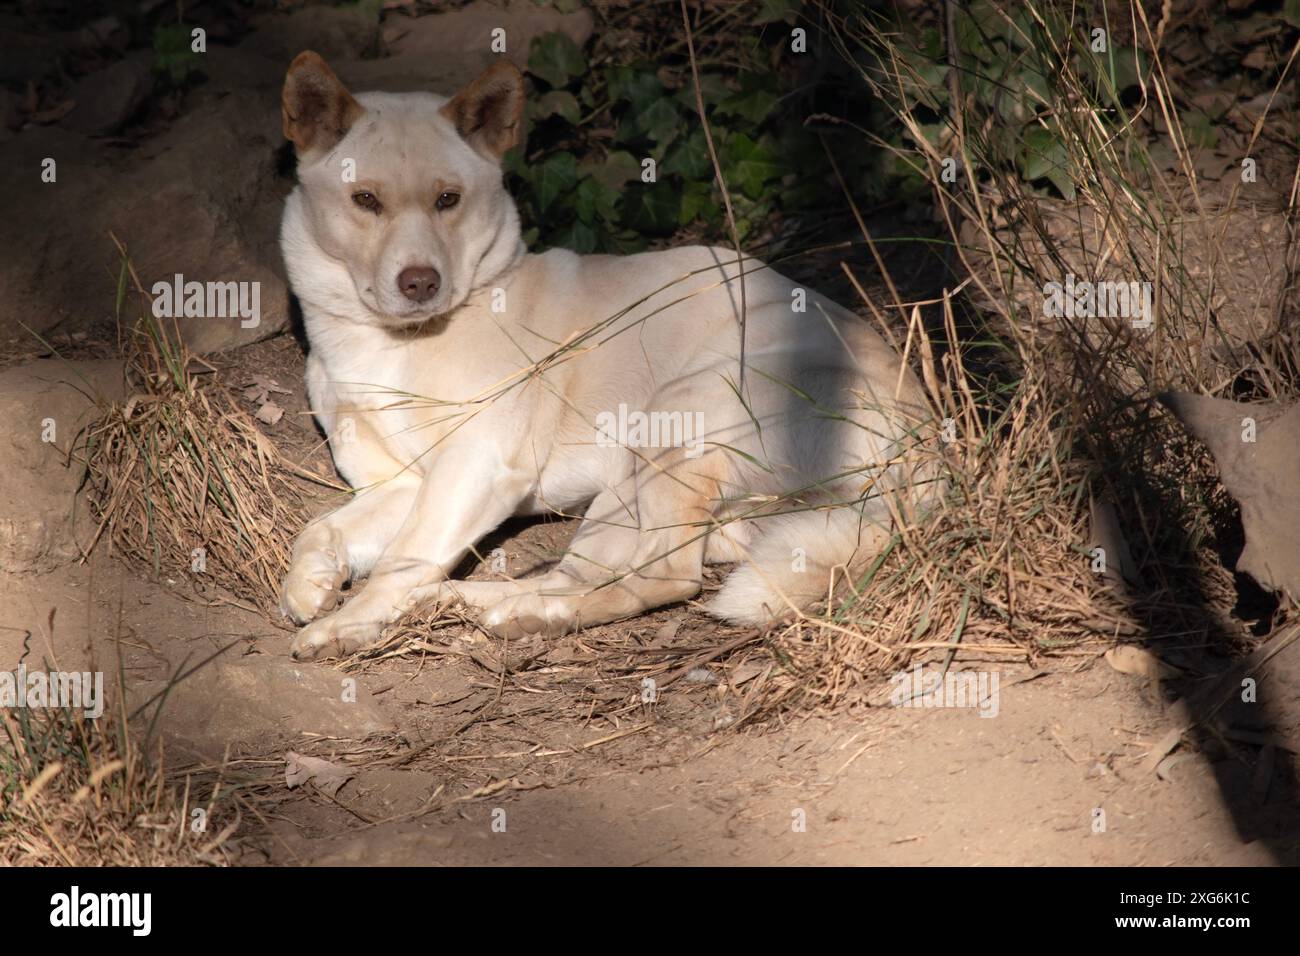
(406, 189)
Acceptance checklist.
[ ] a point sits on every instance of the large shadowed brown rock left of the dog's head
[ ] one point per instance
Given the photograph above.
(203, 200)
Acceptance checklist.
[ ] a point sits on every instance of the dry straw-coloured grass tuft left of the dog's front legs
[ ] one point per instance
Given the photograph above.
(185, 483)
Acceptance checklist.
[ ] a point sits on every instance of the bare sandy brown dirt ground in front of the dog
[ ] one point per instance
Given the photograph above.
(452, 762)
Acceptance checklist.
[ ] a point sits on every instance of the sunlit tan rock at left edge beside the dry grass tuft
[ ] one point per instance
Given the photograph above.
(41, 521)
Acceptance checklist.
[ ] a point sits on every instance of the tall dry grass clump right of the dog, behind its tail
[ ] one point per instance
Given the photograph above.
(1056, 413)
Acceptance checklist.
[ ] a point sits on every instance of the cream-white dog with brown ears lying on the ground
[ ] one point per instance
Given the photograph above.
(462, 380)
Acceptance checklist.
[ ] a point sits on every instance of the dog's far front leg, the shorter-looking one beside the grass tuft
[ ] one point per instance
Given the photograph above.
(344, 544)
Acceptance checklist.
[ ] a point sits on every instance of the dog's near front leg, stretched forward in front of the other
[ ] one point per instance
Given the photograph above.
(466, 494)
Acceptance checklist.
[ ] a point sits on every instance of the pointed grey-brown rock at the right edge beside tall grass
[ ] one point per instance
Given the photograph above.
(1264, 477)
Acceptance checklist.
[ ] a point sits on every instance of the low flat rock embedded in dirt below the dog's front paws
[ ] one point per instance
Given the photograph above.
(259, 703)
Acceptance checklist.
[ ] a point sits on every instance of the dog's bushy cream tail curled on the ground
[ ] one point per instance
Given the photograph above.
(798, 560)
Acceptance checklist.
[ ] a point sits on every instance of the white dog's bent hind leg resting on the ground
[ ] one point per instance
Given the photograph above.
(642, 546)
